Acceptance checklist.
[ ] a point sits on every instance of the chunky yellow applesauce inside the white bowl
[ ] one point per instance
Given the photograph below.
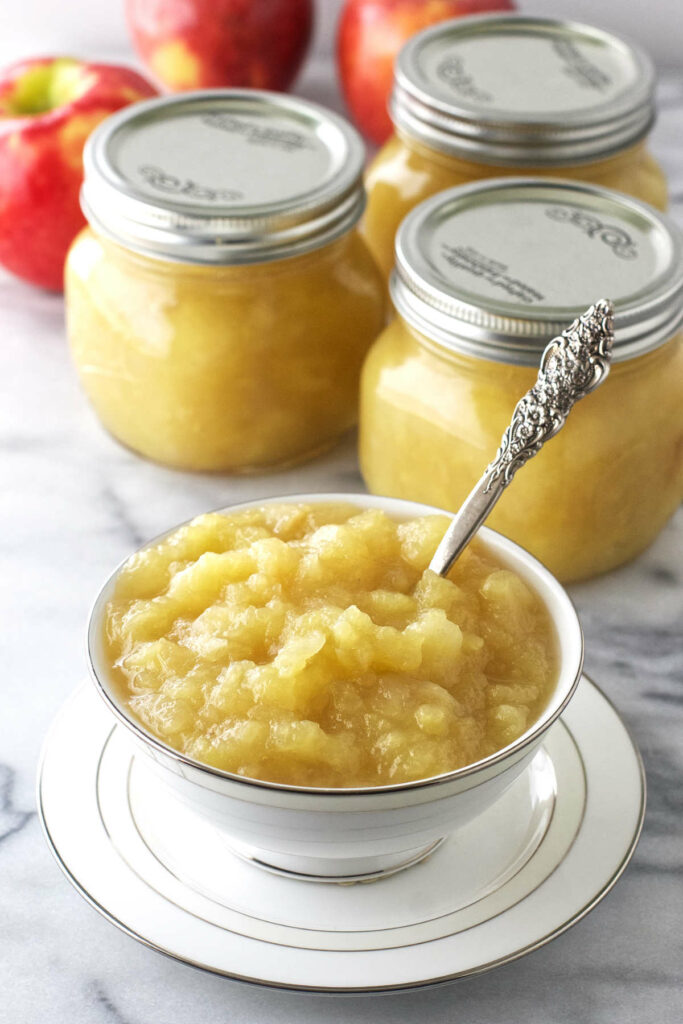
(311, 646)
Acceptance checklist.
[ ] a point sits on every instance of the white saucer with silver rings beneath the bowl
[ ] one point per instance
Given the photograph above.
(510, 882)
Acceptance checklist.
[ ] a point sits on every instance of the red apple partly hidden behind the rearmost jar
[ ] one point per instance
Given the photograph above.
(370, 35)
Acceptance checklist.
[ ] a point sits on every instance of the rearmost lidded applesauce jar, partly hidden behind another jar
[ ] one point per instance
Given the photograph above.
(494, 96)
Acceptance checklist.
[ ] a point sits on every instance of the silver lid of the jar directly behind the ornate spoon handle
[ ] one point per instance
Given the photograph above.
(497, 269)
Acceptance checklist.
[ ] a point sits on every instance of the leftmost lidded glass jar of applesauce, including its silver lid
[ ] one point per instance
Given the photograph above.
(222, 302)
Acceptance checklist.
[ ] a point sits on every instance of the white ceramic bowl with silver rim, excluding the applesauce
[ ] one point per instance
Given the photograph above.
(340, 835)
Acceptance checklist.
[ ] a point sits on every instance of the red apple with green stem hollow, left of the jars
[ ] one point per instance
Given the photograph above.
(49, 107)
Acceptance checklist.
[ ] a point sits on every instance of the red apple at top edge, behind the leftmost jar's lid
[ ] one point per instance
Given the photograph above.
(202, 45)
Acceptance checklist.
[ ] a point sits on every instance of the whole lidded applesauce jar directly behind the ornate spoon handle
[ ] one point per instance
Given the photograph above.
(486, 275)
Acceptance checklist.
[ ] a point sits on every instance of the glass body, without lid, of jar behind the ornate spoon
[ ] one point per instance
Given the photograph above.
(594, 498)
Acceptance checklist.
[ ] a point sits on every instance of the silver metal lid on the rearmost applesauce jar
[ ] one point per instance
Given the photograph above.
(523, 92)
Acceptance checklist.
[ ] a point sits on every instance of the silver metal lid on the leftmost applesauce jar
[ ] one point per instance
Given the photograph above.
(224, 177)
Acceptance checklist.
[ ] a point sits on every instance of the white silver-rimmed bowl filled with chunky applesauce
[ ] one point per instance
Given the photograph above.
(295, 675)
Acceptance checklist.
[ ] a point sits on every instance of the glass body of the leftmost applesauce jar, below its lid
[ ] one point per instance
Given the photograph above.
(224, 368)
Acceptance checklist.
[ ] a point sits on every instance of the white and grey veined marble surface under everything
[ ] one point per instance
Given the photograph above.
(72, 505)
